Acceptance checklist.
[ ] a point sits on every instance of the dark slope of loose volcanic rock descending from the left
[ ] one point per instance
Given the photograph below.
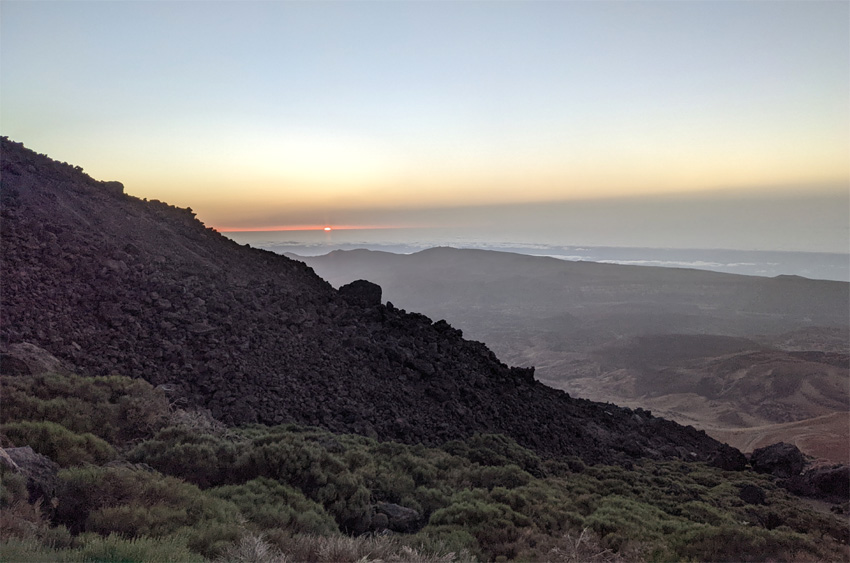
(113, 284)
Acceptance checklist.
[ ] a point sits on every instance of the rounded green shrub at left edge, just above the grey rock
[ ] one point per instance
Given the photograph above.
(63, 446)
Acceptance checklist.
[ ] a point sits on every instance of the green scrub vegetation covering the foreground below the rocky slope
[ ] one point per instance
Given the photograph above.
(142, 481)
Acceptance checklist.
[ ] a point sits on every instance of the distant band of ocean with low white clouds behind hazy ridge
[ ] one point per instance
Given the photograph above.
(814, 265)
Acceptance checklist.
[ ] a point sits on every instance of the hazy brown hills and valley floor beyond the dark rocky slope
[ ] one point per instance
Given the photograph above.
(746, 358)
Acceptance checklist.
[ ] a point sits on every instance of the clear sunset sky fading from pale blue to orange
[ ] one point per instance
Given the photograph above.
(701, 123)
